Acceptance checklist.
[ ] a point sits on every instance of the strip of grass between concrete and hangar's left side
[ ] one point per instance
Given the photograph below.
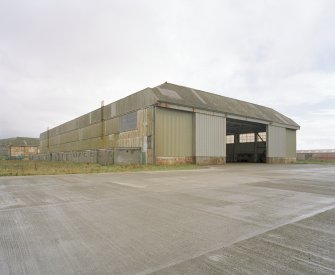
(29, 168)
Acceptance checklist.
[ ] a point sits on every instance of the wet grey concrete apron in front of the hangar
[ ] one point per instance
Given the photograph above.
(244, 218)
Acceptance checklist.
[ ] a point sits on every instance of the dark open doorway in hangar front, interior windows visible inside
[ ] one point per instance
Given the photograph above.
(245, 141)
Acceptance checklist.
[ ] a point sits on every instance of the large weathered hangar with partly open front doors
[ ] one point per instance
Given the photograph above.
(174, 124)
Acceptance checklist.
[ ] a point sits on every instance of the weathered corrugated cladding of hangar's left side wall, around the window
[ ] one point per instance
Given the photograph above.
(101, 127)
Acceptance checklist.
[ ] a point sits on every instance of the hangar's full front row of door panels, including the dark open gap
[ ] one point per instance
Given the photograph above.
(194, 137)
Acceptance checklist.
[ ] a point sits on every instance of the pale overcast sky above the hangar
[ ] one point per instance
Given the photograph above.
(60, 58)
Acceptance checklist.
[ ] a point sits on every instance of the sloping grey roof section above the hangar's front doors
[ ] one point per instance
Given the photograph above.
(180, 95)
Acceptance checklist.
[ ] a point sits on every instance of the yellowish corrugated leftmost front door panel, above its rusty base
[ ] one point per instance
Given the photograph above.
(174, 133)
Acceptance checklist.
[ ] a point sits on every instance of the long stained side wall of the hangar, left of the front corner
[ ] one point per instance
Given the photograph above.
(119, 132)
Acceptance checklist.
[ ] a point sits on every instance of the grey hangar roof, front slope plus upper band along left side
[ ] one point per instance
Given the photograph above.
(176, 95)
